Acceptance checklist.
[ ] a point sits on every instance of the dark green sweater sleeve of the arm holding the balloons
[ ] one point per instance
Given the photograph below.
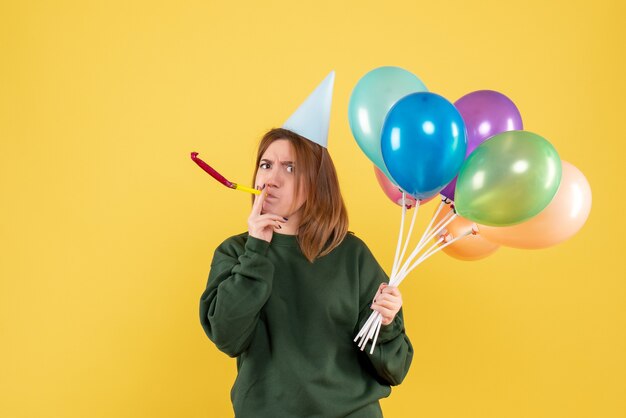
(393, 352)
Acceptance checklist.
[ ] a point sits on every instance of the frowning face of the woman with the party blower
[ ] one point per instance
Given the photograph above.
(277, 171)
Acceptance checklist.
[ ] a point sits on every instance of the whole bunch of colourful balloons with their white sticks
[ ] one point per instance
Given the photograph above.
(500, 184)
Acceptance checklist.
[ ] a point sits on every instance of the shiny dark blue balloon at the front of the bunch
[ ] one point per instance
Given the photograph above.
(423, 143)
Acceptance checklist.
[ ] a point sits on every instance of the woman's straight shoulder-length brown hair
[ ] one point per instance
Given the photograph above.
(324, 222)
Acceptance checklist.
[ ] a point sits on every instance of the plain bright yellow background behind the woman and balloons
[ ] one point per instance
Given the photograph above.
(107, 227)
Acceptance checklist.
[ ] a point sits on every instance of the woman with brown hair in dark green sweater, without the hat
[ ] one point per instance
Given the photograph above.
(288, 296)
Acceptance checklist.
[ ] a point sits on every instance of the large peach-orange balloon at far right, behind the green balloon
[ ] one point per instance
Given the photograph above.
(560, 220)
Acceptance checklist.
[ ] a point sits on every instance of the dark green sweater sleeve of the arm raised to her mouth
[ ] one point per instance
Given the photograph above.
(239, 284)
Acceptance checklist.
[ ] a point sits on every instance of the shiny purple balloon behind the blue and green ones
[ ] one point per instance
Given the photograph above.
(485, 113)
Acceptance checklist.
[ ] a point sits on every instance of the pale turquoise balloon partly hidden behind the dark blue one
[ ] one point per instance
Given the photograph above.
(372, 97)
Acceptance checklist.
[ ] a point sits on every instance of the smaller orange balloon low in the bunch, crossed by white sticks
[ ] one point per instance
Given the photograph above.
(472, 247)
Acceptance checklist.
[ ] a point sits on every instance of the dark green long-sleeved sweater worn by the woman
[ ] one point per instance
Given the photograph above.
(291, 325)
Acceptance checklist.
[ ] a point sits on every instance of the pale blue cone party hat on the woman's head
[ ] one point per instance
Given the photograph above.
(312, 119)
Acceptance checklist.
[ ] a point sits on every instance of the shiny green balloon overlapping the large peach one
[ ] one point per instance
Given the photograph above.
(508, 179)
